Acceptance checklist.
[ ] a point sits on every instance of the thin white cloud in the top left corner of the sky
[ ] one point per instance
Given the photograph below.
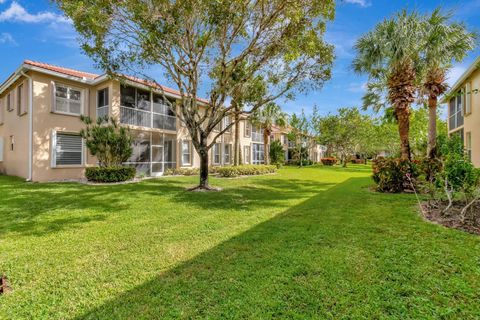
(17, 13)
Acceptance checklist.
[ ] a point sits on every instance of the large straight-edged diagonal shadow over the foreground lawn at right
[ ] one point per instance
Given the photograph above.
(322, 258)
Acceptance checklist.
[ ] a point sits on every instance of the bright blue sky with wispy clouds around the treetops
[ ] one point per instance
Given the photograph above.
(36, 30)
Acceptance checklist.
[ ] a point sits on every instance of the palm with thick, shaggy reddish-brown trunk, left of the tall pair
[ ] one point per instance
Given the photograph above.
(389, 54)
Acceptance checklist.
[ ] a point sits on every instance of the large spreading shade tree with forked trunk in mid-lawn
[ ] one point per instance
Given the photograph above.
(215, 44)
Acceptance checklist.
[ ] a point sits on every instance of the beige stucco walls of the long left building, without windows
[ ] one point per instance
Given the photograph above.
(46, 122)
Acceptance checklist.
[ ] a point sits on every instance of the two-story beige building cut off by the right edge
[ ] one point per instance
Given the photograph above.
(463, 101)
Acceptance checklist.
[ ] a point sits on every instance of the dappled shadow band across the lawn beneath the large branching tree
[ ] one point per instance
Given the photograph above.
(42, 208)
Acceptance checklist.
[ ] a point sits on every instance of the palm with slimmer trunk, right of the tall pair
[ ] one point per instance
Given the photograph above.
(445, 42)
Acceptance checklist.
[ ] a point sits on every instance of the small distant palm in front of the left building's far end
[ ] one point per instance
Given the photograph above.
(265, 118)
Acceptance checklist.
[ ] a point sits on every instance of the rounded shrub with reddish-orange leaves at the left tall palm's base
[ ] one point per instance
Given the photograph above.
(394, 174)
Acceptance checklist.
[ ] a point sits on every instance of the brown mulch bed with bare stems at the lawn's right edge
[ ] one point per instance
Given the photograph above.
(433, 212)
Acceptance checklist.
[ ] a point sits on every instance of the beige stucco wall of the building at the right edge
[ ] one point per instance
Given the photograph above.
(472, 120)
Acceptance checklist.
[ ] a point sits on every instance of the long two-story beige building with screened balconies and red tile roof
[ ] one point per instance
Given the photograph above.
(40, 108)
